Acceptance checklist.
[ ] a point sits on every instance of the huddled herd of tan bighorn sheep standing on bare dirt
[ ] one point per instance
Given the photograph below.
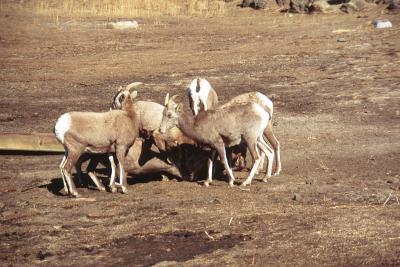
(145, 137)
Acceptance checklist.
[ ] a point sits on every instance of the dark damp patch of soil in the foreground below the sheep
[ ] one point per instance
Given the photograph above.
(146, 250)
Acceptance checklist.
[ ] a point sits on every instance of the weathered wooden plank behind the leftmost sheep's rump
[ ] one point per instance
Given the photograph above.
(41, 142)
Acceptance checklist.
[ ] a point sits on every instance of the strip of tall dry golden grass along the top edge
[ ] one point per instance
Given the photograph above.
(119, 8)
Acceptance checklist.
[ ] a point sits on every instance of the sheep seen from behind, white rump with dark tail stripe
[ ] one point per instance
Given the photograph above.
(201, 95)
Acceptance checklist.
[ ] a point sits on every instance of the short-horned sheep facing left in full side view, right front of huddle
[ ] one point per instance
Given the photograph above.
(220, 128)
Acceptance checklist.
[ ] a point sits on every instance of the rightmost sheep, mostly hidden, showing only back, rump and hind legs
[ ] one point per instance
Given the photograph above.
(266, 103)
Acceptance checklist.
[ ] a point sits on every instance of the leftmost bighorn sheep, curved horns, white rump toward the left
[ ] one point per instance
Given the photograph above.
(93, 132)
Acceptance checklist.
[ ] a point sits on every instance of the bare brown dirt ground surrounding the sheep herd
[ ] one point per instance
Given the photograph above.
(334, 80)
